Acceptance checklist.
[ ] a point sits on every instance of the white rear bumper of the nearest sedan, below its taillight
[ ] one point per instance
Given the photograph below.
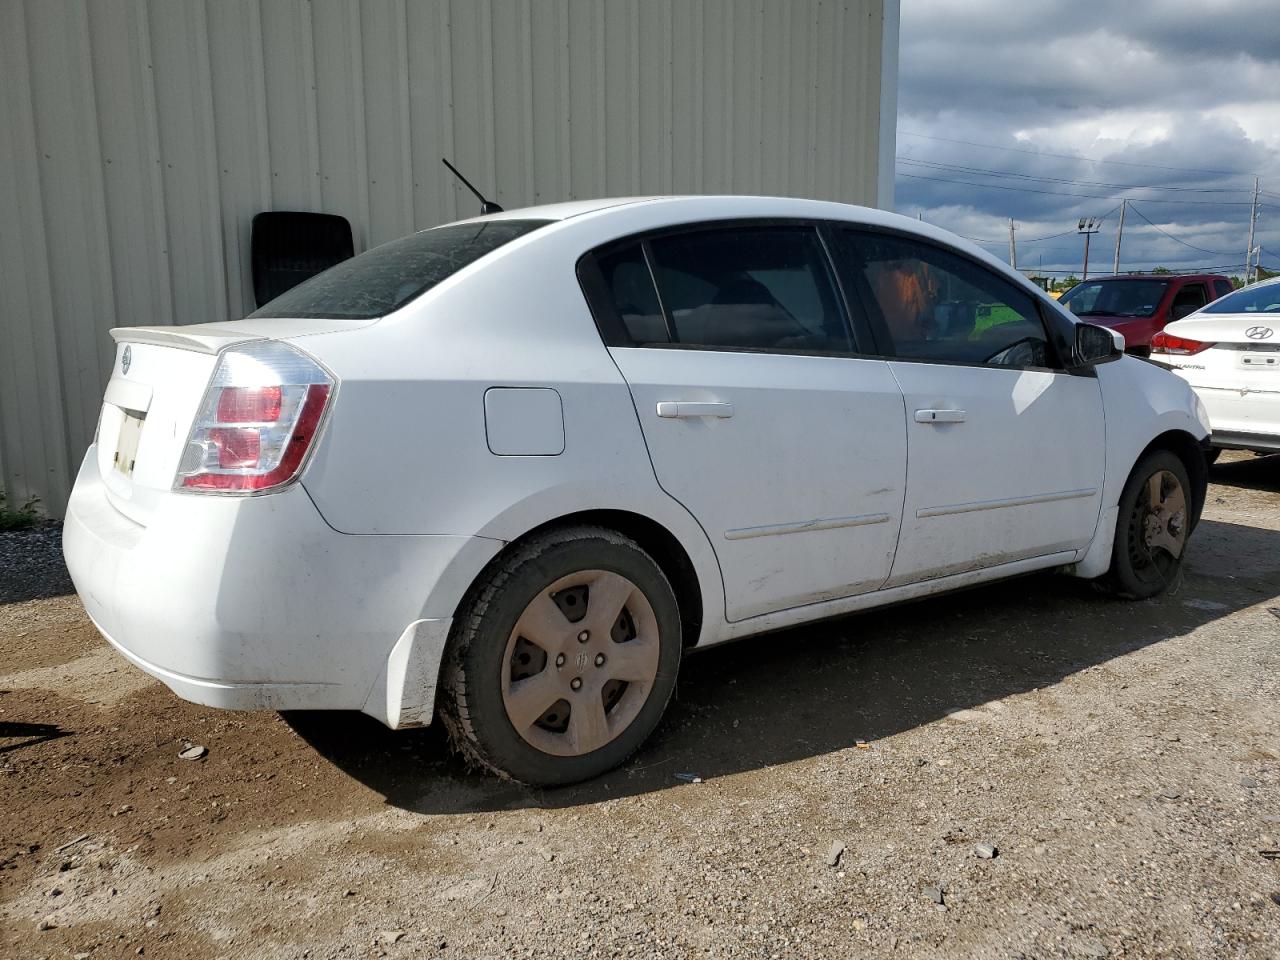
(257, 604)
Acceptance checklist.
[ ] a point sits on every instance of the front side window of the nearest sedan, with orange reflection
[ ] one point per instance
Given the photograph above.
(934, 305)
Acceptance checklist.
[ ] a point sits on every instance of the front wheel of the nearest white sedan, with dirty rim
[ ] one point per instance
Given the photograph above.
(1151, 542)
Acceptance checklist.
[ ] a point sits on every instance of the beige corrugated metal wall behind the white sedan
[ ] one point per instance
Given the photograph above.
(141, 136)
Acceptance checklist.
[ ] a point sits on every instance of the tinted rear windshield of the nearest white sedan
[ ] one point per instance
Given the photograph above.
(388, 277)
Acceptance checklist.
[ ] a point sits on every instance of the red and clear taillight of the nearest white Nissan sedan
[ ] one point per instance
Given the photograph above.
(258, 423)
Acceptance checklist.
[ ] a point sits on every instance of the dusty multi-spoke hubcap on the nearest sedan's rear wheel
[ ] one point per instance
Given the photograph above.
(580, 664)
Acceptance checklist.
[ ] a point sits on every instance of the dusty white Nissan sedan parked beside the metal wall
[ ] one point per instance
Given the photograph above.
(508, 472)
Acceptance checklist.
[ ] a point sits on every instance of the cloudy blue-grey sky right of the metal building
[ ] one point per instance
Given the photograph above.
(1069, 107)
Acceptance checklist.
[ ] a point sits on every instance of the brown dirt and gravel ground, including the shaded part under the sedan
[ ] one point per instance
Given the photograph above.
(1121, 757)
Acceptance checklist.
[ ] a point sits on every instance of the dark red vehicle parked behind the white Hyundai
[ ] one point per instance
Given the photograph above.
(1139, 307)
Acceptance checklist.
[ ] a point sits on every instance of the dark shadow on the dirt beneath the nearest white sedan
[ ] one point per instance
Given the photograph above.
(819, 689)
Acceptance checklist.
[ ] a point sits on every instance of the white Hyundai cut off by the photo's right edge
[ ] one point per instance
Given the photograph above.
(1229, 353)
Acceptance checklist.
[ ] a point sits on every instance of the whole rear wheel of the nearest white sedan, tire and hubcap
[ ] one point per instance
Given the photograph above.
(529, 660)
